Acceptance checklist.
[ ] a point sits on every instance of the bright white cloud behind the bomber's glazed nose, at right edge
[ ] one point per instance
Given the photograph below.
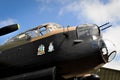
(112, 34)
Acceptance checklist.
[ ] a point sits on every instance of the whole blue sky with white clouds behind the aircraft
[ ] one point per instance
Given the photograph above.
(31, 13)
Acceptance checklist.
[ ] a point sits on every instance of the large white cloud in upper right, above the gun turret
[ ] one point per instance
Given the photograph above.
(94, 11)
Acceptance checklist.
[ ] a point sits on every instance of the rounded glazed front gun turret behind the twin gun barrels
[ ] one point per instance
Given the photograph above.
(87, 31)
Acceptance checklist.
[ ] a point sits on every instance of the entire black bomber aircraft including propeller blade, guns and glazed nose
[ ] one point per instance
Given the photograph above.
(53, 52)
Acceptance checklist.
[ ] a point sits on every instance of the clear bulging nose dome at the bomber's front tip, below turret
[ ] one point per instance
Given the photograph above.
(108, 50)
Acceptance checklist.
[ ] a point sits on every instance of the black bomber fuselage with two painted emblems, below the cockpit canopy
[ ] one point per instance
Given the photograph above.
(74, 51)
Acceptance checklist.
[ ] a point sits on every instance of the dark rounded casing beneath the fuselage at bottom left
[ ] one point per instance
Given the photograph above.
(45, 74)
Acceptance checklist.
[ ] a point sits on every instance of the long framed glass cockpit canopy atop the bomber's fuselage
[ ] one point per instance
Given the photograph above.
(35, 32)
